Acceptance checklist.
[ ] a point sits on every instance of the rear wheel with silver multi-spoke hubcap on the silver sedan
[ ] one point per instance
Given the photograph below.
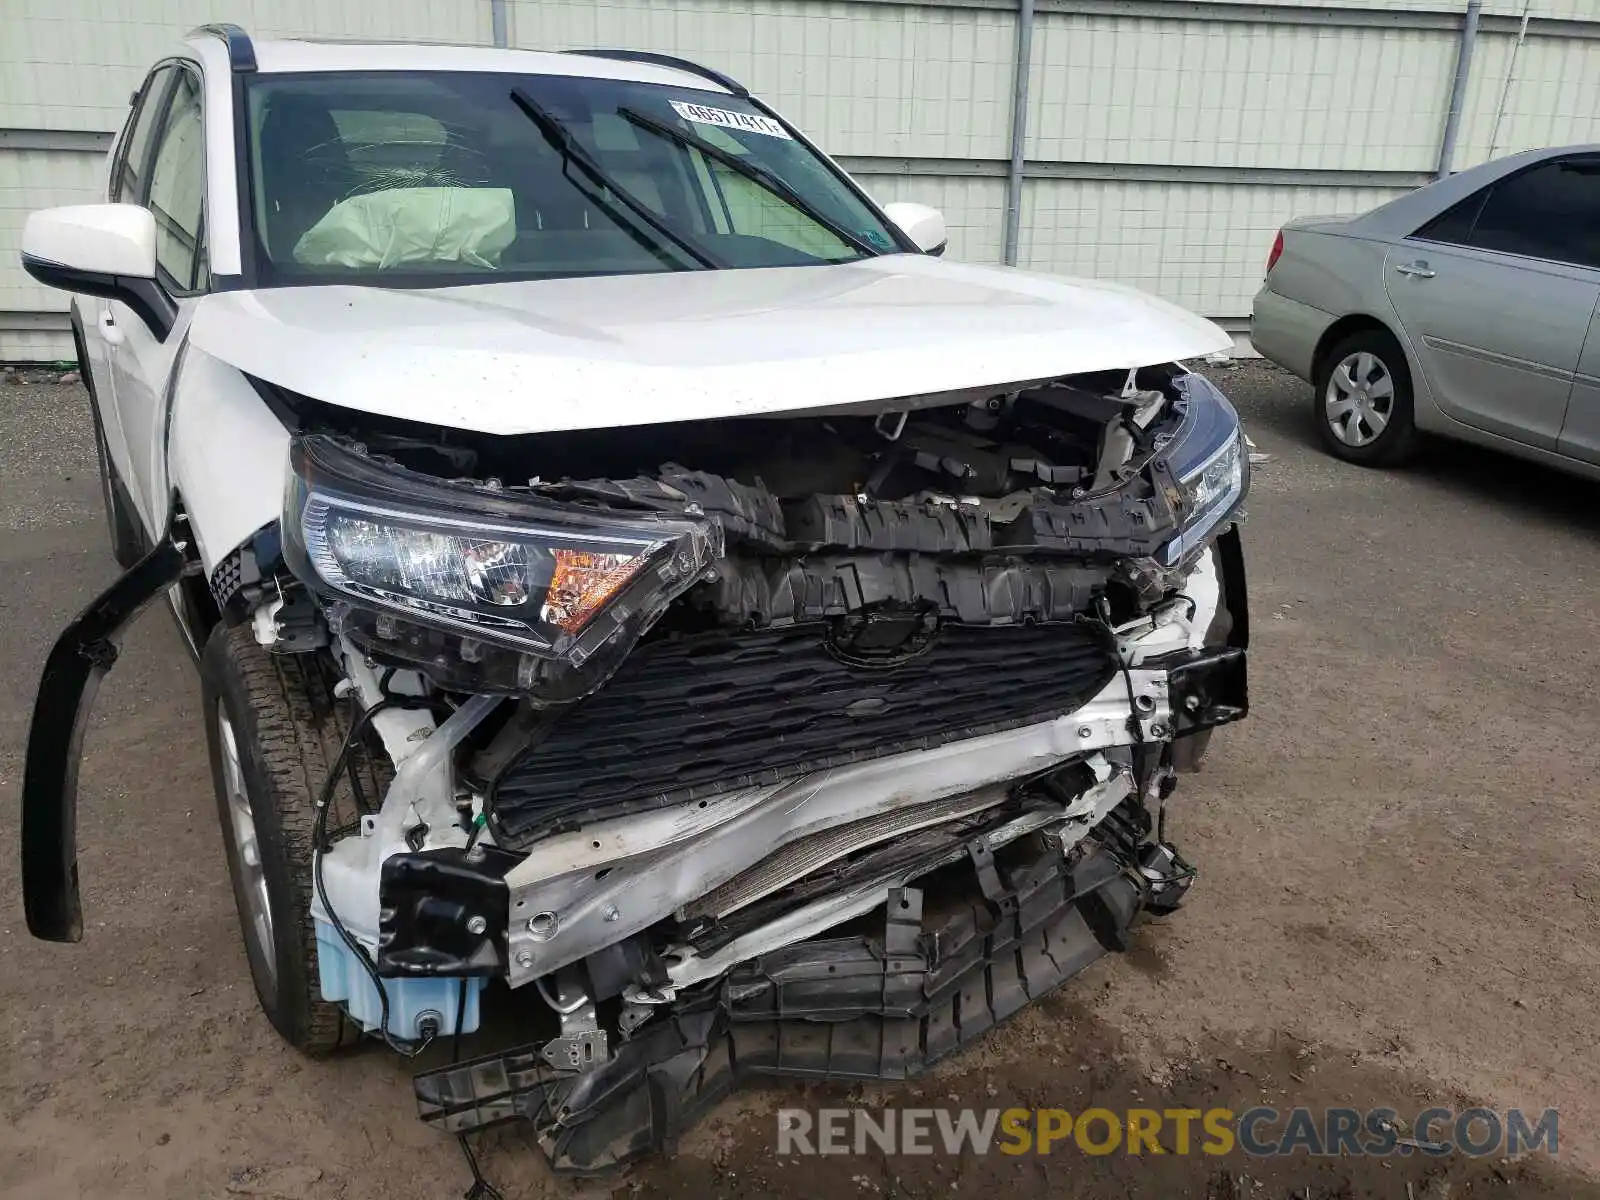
(1361, 442)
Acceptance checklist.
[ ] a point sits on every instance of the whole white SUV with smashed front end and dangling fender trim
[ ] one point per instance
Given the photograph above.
(628, 564)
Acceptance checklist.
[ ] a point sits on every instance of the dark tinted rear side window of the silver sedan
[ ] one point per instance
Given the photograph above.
(1551, 212)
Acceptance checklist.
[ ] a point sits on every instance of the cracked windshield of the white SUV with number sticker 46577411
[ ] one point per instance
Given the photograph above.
(434, 178)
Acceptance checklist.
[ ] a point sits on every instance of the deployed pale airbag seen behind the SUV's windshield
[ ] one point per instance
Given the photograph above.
(404, 226)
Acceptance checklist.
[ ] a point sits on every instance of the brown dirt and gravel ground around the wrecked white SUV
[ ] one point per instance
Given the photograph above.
(1398, 902)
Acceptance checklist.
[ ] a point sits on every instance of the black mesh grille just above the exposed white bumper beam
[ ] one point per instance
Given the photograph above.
(690, 718)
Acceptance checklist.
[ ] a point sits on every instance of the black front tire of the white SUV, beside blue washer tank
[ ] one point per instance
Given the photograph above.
(289, 730)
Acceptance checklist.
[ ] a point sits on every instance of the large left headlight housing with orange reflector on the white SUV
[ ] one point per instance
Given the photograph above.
(446, 574)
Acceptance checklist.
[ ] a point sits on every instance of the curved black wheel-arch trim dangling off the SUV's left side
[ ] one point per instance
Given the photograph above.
(82, 655)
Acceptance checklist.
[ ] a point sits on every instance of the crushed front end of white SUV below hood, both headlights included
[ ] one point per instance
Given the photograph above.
(794, 746)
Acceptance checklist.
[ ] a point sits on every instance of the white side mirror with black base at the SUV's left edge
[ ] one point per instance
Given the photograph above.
(100, 250)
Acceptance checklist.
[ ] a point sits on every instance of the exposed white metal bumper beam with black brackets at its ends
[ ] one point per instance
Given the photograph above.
(711, 862)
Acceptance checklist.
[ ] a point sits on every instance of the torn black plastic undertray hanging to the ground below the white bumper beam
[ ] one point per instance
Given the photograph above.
(932, 972)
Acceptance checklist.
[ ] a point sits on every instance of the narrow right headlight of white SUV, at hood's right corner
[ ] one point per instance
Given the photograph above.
(1207, 460)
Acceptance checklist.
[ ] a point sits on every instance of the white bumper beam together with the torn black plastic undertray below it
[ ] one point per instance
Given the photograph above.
(977, 879)
